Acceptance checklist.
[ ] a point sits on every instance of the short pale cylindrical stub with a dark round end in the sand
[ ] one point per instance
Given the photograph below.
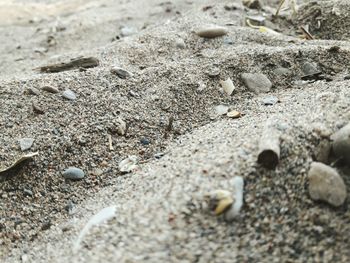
(269, 148)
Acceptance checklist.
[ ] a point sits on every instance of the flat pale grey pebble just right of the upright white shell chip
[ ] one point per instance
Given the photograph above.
(257, 82)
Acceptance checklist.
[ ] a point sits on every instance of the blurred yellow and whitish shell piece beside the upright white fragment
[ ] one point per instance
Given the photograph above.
(219, 201)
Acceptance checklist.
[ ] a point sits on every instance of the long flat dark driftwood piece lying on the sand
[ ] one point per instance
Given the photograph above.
(75, 63)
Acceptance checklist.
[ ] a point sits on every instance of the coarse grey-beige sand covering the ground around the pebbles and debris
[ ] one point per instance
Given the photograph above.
(160, 215)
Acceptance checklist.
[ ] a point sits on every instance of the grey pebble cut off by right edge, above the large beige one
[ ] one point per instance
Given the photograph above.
(341, 143)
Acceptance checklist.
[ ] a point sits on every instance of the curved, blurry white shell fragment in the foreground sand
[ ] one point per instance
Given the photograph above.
(104, 215)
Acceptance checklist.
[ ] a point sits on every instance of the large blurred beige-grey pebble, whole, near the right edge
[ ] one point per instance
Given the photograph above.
(326, 184)
